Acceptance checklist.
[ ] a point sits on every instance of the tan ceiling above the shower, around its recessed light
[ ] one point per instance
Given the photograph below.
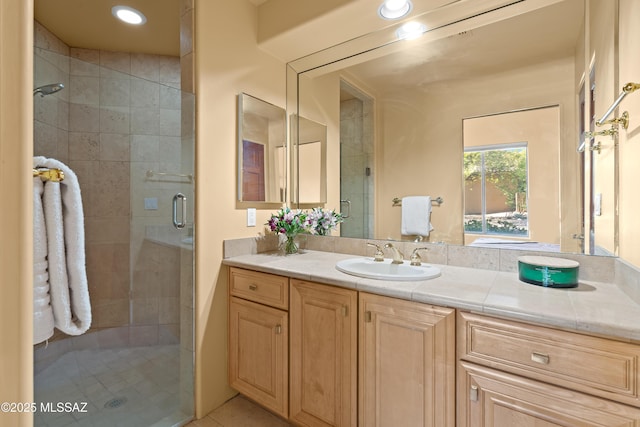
(89, 24)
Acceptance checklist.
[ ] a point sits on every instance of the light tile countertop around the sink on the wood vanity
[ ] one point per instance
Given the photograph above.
(592, 307)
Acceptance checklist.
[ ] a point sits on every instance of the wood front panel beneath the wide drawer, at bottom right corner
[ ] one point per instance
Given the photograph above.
(493, 398)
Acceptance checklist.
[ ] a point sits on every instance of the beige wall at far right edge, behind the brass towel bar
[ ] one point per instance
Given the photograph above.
(630, 139)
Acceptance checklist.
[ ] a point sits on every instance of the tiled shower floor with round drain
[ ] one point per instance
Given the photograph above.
(116, 387)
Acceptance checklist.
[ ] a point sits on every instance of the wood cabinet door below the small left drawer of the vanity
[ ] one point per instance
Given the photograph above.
(258, 353)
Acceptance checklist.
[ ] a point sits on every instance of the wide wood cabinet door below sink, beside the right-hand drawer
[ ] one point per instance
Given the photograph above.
(407, 363)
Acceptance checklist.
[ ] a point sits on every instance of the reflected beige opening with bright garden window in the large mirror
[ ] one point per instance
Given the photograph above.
(511, 173)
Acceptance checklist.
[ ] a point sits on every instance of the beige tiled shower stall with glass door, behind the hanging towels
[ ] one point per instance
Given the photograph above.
(122, 124)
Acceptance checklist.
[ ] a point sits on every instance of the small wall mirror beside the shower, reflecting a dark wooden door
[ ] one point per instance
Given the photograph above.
(261, 151)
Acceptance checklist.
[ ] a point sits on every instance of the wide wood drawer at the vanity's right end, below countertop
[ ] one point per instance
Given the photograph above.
(589, 364)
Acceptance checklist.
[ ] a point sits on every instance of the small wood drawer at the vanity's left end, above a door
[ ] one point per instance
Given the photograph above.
(263, 288)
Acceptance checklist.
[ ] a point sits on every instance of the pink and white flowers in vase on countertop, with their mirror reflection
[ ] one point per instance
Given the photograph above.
(293, 222)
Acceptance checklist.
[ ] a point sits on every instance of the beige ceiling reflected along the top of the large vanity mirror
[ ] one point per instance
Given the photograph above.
(508, 44)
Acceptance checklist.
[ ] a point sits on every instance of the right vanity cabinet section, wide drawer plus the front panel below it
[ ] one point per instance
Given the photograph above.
(517, 374)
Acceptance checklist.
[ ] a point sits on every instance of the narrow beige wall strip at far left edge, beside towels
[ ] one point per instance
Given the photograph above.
(16, 134)
